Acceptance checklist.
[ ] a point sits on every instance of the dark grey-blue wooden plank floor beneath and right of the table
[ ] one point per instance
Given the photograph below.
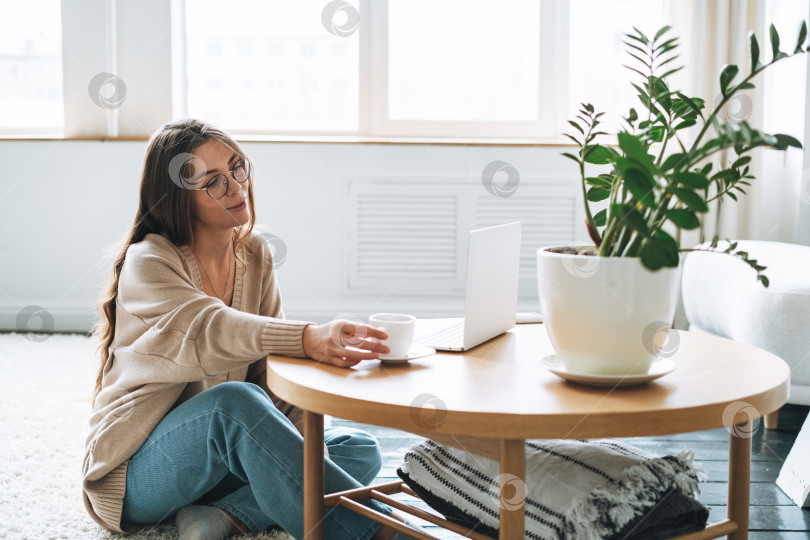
(772, 516)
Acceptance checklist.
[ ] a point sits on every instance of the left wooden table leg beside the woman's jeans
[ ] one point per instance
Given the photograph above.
(313, 476)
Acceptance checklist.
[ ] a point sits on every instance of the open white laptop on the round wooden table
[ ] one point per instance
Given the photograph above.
(493, 263)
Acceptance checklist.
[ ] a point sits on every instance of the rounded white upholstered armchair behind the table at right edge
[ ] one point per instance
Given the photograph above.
(722, 296)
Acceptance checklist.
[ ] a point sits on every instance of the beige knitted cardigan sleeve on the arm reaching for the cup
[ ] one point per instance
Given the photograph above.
(193, 329)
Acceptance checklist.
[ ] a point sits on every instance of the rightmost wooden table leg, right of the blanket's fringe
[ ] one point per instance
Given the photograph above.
(739, 478)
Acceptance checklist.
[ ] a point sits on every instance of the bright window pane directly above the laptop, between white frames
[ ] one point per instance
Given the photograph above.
(466, 61)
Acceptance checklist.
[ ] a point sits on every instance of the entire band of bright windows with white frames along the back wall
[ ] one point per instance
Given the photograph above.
(378, 68)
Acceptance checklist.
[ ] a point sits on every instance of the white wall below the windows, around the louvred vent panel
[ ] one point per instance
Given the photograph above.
(63, 202)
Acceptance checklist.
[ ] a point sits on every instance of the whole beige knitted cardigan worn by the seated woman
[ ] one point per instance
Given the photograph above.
(173, 341)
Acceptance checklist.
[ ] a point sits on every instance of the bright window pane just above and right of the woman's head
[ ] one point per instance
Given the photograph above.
(276, 67)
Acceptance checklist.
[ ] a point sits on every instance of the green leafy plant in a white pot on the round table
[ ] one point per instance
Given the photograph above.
(604, 304)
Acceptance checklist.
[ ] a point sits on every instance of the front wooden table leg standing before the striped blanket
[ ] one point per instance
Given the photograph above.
(513, 489)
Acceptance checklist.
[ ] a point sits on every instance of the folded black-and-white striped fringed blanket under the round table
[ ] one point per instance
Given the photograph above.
(583, 489)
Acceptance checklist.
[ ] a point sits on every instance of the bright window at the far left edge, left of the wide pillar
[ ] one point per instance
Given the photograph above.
(31, 67)
